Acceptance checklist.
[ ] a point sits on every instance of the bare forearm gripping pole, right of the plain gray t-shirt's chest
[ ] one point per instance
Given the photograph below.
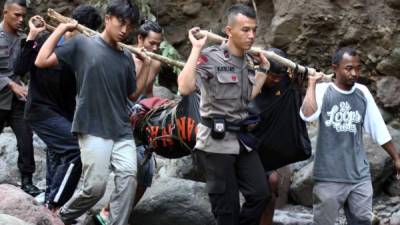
(142, 70)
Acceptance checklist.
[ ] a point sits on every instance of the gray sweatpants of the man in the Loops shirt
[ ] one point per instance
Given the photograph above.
(355, 199)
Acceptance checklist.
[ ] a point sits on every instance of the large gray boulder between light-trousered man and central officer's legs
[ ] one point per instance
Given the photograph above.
(174, 201)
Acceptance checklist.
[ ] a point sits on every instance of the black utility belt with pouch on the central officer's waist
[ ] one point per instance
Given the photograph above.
(219, 125)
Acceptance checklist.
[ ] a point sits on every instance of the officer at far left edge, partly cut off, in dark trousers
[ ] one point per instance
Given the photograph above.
(13, 93)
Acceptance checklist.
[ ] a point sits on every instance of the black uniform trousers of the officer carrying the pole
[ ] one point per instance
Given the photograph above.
(226, 175)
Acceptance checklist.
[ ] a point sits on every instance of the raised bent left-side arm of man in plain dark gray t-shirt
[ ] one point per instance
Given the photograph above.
(46, 56)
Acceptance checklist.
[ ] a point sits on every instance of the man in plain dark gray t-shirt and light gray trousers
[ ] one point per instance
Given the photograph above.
(105, 75)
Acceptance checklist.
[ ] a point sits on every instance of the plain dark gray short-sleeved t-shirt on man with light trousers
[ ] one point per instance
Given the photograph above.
(105, 78)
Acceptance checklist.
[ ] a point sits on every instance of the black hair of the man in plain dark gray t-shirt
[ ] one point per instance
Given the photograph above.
(124, 9)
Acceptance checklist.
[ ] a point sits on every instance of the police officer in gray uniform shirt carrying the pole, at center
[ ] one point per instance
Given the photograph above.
(227, 81)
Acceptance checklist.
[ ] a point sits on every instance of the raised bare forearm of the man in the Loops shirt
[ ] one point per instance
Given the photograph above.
(310, 106)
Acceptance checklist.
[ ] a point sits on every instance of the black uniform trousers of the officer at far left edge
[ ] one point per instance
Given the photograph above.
(23, 133)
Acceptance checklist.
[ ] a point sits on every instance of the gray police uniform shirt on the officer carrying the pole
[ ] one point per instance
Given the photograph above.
(225, 82)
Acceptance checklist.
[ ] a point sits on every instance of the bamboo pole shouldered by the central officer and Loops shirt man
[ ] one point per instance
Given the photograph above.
(269, 54)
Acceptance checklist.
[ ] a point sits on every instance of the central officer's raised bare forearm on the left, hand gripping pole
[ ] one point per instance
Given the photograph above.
(187, 77)
